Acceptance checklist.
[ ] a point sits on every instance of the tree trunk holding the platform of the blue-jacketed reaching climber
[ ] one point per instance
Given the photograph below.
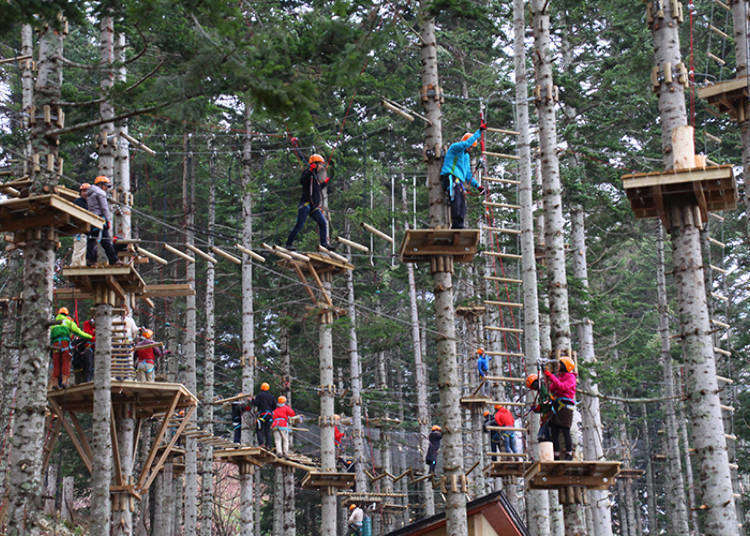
(441, 269)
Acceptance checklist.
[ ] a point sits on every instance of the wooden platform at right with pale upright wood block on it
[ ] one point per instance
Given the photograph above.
(710, 188)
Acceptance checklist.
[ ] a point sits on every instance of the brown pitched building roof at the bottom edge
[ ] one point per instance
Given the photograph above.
(495, 507)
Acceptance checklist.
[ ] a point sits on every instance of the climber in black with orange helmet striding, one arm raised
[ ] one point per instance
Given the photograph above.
(313, 180)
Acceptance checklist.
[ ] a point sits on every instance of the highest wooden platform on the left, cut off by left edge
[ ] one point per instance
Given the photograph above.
(22, 214)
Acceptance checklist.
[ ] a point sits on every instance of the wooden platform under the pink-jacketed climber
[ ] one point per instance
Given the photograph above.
(559, 474)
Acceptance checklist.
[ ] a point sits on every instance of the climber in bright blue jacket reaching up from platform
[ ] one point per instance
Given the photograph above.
(456, 174)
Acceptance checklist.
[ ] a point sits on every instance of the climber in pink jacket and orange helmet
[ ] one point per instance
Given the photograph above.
(562, 387)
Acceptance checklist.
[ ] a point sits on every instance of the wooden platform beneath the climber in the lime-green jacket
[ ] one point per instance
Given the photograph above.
(149, 398)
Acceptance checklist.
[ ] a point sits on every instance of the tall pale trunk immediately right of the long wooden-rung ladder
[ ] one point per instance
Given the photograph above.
(537, 501)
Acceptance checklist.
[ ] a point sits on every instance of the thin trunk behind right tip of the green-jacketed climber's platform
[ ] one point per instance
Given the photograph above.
(191, 444)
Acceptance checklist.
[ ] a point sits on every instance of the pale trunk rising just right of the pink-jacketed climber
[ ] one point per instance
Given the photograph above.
(593, 449)
